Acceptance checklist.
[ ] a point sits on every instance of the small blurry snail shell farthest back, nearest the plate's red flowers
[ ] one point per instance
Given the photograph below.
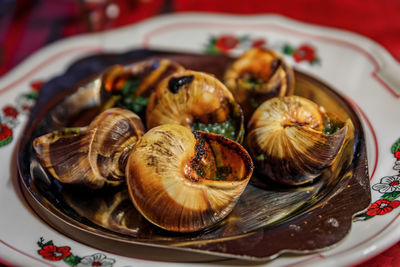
(259, 74)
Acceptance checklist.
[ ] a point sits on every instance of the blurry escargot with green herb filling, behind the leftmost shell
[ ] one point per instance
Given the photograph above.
(131, 85)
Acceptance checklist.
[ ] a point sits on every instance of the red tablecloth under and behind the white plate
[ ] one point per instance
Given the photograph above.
(27, 25)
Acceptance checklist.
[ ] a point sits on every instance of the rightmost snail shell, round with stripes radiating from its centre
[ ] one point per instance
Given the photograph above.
(288, 141)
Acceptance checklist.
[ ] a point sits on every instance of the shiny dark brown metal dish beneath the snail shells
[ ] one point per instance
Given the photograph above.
(304, 219)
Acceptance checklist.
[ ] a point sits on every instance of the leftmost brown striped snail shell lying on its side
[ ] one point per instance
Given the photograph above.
(94, 155)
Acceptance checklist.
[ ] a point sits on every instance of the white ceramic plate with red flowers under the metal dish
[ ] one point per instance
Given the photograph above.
(357, 67)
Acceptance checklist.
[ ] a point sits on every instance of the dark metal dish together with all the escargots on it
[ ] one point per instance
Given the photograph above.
(181, 193)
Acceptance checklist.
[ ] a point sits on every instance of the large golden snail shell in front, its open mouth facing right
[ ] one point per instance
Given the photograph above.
(186, 181)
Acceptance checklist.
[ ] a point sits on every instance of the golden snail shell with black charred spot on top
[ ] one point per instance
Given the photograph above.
(198, 101)
